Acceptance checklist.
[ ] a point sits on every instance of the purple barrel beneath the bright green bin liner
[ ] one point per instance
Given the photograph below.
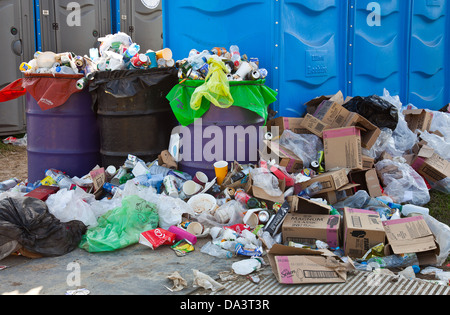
(234, 131)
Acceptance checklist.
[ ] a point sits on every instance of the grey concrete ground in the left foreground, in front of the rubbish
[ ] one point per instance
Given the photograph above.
(136, 270)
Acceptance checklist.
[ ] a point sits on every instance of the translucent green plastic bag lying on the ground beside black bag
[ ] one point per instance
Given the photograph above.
(121, 227)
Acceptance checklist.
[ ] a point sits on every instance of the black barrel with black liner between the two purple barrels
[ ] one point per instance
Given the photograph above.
(133, 113)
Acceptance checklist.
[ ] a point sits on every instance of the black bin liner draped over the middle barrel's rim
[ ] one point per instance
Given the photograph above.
(128, 83)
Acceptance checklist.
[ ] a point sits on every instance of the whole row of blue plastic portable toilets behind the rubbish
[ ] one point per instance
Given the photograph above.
(317, 47)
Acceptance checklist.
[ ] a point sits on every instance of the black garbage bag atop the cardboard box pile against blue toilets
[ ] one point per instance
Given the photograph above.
(377, 110)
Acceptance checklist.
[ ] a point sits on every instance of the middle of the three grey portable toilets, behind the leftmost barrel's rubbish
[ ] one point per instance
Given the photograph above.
(68, 26)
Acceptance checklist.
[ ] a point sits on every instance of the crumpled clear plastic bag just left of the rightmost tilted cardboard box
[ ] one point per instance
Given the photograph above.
(402, 183)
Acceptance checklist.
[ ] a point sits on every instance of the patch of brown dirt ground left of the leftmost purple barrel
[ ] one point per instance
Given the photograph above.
(14, 164)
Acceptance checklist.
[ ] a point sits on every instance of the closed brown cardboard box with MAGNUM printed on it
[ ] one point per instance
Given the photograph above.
(308, 228)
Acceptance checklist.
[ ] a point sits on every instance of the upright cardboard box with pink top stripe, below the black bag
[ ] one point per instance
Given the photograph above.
(342, 148)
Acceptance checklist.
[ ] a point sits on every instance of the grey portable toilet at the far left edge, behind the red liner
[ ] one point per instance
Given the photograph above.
(18, 44)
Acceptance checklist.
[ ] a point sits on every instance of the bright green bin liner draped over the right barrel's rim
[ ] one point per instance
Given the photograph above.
(251, 95)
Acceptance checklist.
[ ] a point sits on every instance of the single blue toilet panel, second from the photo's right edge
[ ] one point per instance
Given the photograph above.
(378, 49)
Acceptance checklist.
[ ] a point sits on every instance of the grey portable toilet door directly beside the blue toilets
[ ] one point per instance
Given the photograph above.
(142, 20)
